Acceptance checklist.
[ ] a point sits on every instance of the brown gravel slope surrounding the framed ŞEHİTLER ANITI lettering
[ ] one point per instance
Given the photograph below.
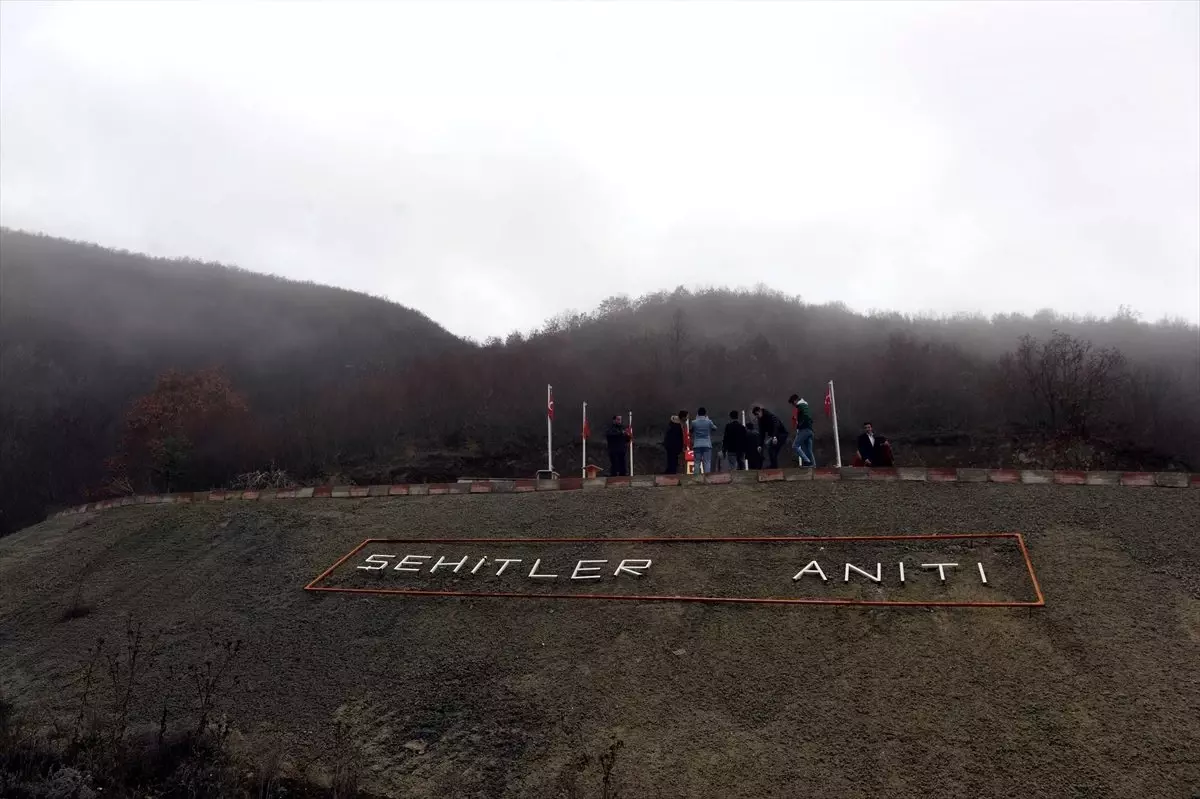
(1095, 695)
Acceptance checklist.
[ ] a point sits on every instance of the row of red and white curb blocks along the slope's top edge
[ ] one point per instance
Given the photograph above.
(854, 474)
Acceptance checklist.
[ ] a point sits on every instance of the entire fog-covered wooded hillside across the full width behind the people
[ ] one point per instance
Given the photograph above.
(327, 385)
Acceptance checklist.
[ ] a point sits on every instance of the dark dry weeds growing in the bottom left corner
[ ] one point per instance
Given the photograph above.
(187, 753)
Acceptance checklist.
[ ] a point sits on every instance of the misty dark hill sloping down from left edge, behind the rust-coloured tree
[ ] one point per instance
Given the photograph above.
(85, 331)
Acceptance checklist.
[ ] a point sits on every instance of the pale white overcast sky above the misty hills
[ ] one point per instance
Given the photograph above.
(493, 165)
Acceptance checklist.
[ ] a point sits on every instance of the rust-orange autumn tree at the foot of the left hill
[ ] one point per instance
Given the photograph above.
(191, 429)
